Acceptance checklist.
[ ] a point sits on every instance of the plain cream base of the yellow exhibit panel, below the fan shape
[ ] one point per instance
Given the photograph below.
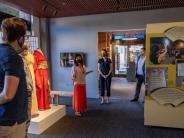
(156, 114)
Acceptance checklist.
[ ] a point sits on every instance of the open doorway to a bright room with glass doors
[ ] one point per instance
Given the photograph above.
(123, 48)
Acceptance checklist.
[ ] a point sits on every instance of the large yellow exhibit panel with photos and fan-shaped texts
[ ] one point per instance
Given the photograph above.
(164, 75)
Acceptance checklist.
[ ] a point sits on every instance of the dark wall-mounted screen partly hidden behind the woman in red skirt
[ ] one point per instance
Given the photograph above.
(67, 58)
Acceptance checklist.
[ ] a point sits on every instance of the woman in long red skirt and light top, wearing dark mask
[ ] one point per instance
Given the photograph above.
(78, 76)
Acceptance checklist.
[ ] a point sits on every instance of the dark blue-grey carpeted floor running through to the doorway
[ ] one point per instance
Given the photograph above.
(119, 119)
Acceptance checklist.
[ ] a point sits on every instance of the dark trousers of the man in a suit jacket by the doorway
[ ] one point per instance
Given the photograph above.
(140, 80)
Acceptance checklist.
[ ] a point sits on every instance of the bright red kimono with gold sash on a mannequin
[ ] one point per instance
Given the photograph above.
(41, 79)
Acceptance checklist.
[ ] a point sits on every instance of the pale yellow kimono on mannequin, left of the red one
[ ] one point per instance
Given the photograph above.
(29, 58)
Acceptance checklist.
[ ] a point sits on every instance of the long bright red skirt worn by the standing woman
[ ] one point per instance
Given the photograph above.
(79, 98)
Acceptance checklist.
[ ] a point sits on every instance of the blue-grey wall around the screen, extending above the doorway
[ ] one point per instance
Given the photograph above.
(71, 34)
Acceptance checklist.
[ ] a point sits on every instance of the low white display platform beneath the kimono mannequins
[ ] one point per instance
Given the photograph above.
(46, 119)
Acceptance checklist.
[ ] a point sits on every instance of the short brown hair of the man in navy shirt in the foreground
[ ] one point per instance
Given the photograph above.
(13, 28)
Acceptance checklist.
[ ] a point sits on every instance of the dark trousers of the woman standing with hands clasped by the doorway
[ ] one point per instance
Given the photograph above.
(105, 84)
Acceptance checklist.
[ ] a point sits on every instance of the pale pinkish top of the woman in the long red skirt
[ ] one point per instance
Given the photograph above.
(79, 75)
